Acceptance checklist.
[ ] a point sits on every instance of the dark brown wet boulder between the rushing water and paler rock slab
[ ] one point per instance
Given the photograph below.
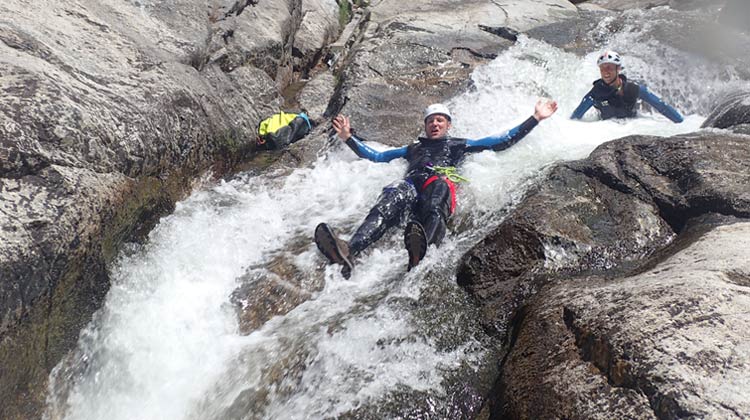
(628, 200)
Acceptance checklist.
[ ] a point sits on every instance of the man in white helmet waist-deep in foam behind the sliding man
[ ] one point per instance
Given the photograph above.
(615, 96)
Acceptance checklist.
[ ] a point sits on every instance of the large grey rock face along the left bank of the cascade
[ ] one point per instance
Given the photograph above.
(107, 114)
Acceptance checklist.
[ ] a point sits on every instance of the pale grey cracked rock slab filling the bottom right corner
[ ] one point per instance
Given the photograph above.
(667, 343)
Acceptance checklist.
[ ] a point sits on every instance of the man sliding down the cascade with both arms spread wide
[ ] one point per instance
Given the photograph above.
(427, 193)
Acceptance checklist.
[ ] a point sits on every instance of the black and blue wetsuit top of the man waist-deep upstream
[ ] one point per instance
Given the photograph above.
(612, 103)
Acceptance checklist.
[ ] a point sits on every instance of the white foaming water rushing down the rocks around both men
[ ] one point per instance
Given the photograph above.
(166, 344)
